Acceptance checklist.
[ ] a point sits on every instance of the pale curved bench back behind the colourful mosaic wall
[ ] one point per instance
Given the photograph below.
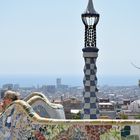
(44, 108)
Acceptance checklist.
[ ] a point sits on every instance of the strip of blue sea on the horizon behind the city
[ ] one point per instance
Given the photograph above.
(73, 80)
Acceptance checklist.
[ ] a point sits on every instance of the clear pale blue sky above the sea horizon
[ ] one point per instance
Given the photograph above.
(46, 37)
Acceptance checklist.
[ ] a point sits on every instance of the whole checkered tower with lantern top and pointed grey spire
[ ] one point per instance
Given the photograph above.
(90, 19)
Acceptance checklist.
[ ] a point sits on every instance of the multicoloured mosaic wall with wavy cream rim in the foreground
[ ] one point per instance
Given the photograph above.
(20, 122)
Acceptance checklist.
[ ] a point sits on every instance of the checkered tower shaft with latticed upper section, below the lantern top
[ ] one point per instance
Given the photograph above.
(90, 54)
